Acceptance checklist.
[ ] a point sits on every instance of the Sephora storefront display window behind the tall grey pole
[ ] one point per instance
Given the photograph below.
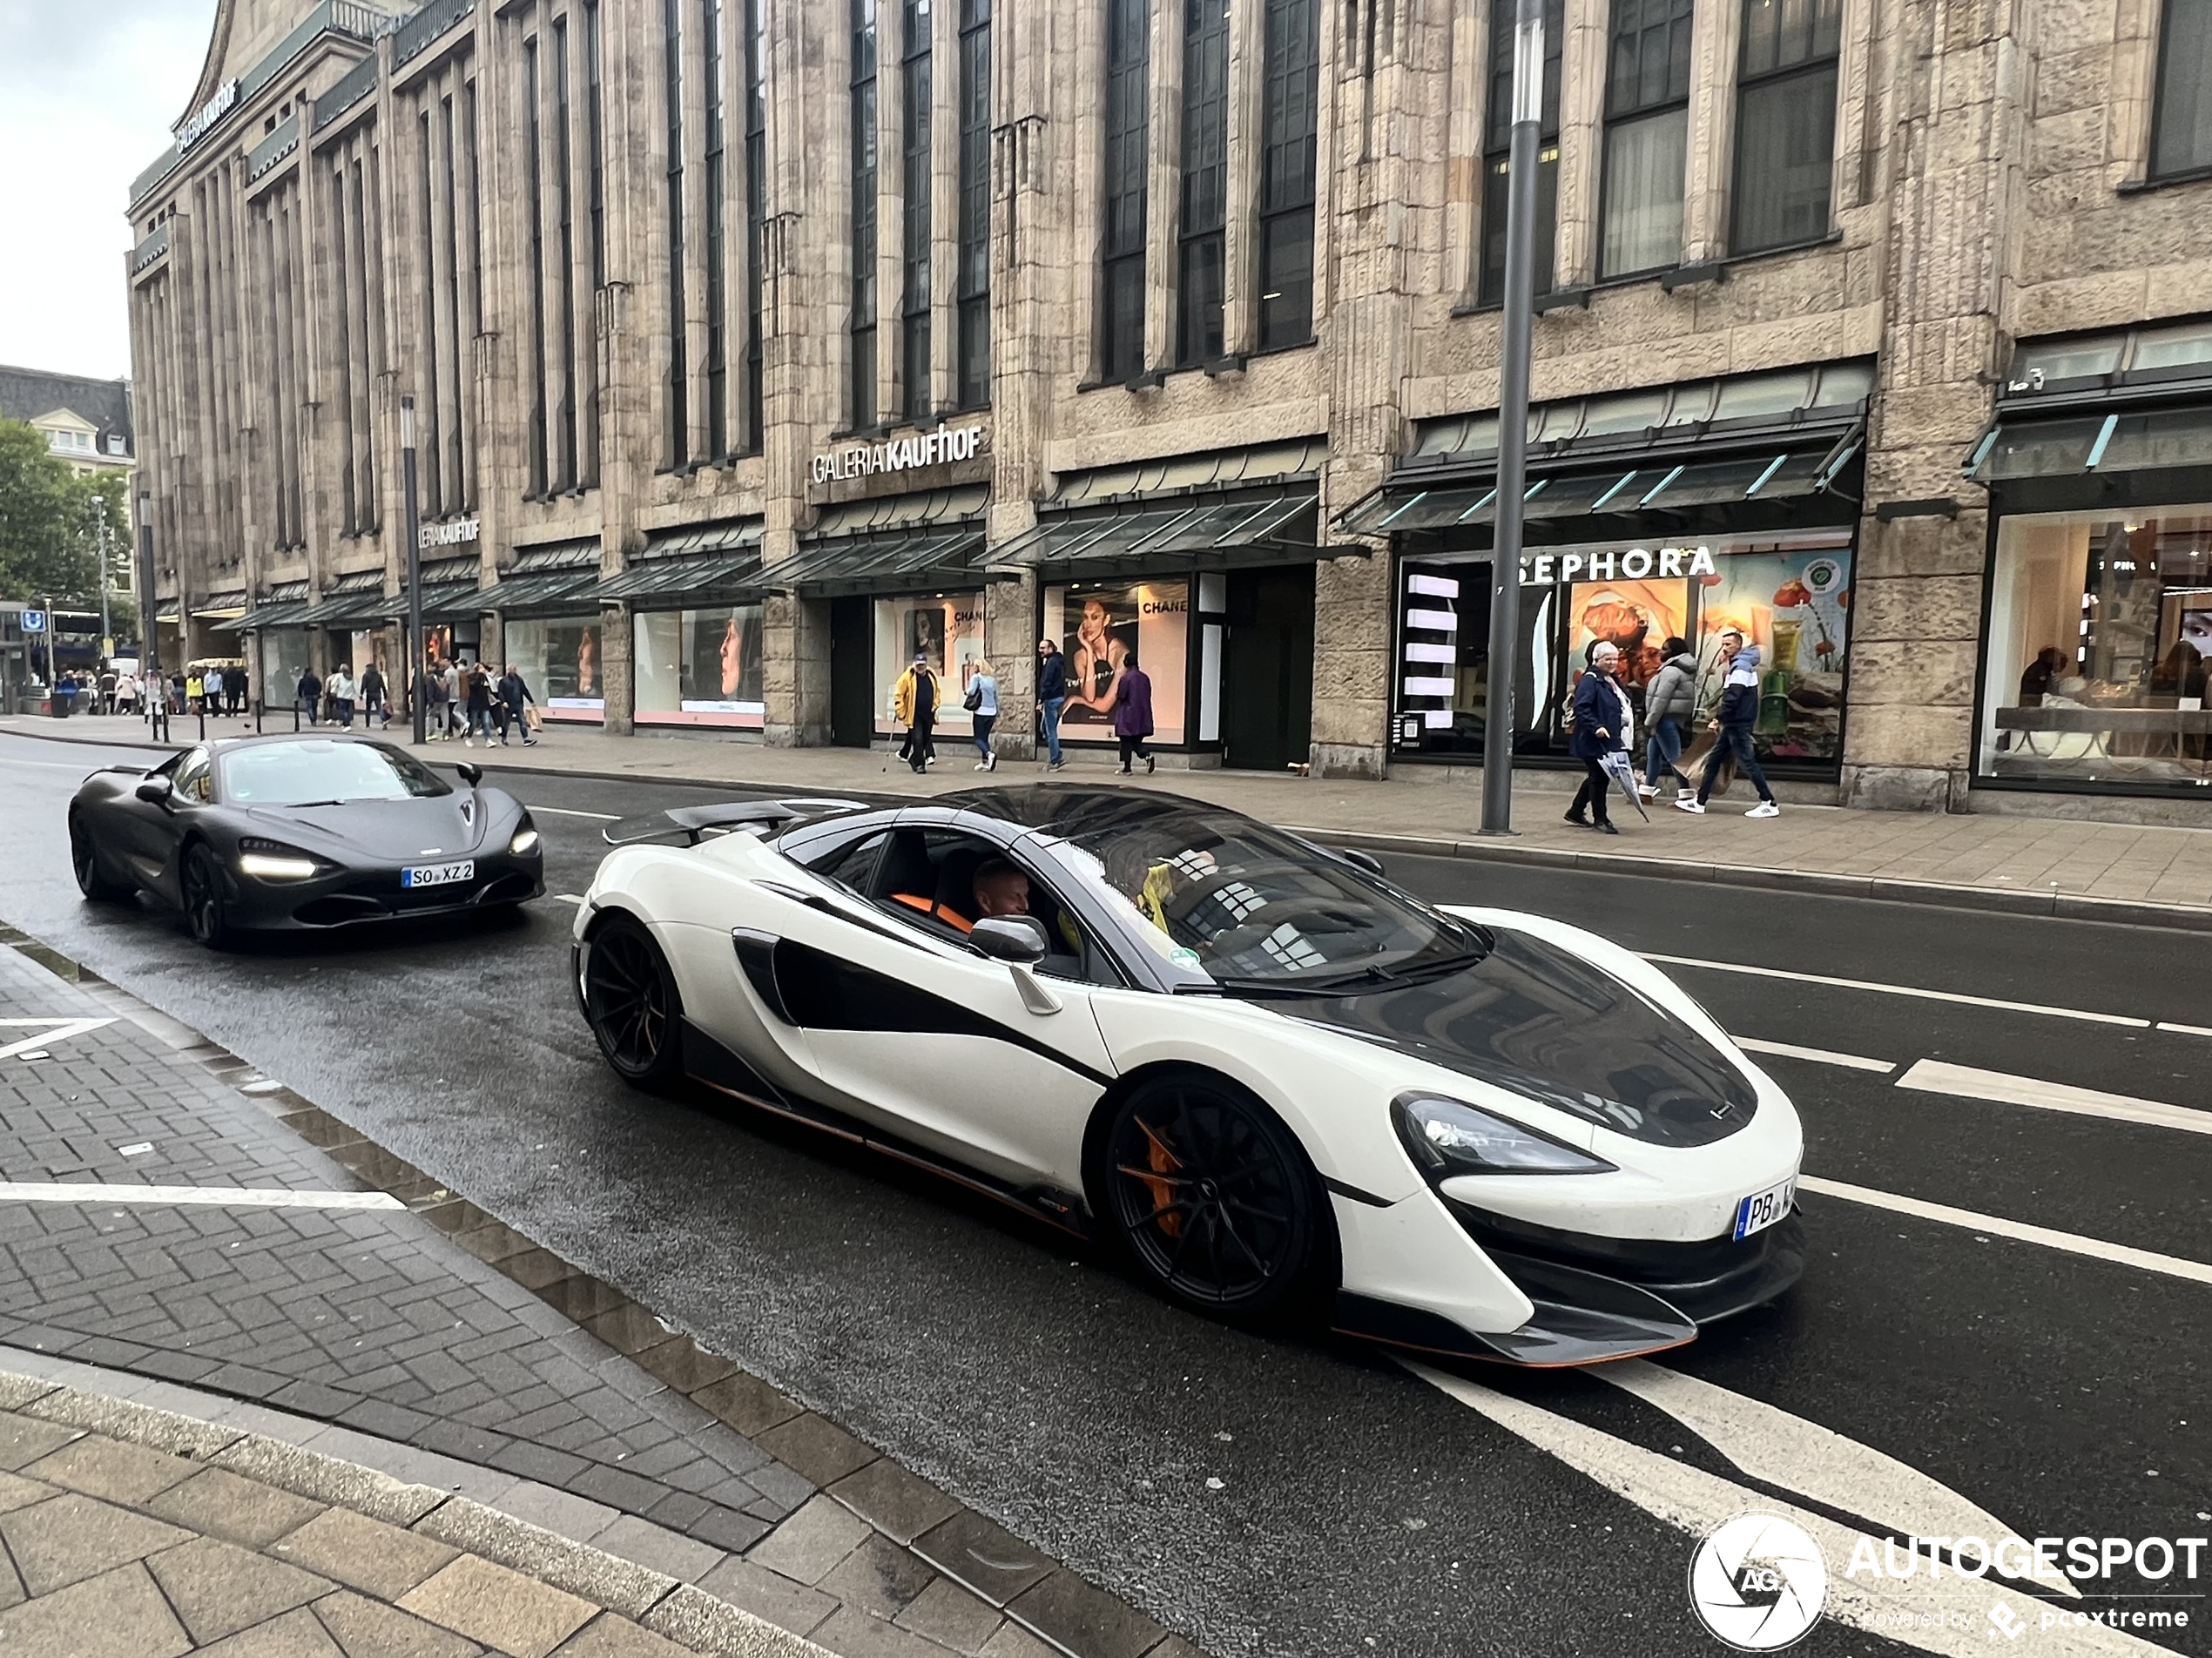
(1791, 596)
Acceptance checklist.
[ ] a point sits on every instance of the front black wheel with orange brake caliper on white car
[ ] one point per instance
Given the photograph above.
(1213, 1197)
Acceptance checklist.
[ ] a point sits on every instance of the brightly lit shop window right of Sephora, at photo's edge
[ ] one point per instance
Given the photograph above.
(2100, 636)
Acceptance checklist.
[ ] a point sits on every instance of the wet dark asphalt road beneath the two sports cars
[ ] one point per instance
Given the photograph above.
(1315, 1498)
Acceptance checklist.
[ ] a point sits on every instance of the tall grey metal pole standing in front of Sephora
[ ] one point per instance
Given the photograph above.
(1514, 417)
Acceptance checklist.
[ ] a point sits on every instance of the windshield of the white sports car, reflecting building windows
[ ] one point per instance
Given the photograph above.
(1244, 905)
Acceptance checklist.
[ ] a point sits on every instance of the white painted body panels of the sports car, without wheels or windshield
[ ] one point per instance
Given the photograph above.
(1008, 1089)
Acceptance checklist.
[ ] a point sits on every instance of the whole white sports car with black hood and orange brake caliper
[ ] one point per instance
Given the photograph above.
(1271, 1078)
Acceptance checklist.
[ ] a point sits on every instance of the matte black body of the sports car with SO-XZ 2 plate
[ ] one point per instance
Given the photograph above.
(154, 841)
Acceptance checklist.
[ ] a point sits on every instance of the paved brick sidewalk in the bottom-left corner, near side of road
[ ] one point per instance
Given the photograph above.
(258, 1263)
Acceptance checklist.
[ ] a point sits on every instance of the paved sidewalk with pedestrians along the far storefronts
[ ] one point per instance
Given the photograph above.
(1983, 861)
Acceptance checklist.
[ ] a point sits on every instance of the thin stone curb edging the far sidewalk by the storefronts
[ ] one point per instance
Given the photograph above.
(1934, 894)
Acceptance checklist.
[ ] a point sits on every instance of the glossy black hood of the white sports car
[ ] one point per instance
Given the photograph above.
(1547, 1025)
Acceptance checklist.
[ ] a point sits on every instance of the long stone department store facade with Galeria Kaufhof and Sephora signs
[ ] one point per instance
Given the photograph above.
(760, 346)
